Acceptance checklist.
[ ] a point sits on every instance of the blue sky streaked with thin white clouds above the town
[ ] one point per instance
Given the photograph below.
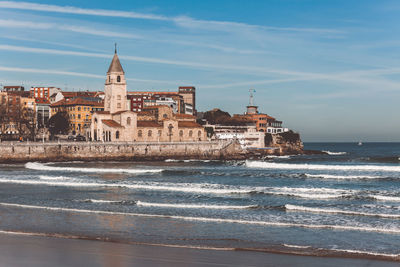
(329, 70)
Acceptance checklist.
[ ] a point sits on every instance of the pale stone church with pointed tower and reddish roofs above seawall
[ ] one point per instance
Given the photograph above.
(153, 124)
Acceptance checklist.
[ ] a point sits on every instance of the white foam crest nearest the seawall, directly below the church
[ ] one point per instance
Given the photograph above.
(43, 167)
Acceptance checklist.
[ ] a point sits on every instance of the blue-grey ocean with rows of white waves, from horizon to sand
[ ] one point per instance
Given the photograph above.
(345, 203)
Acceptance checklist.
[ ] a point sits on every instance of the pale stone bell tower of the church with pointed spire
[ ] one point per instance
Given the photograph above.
(115, 87)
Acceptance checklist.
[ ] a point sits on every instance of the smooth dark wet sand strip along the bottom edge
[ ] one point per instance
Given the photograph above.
(23, 250)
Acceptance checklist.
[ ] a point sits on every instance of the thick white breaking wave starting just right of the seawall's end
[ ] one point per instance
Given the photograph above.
(289, 166)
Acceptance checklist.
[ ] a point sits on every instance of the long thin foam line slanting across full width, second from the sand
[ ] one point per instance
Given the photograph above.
(214, 220)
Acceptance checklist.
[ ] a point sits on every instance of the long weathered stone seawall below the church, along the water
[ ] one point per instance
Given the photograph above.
(135, 151)
